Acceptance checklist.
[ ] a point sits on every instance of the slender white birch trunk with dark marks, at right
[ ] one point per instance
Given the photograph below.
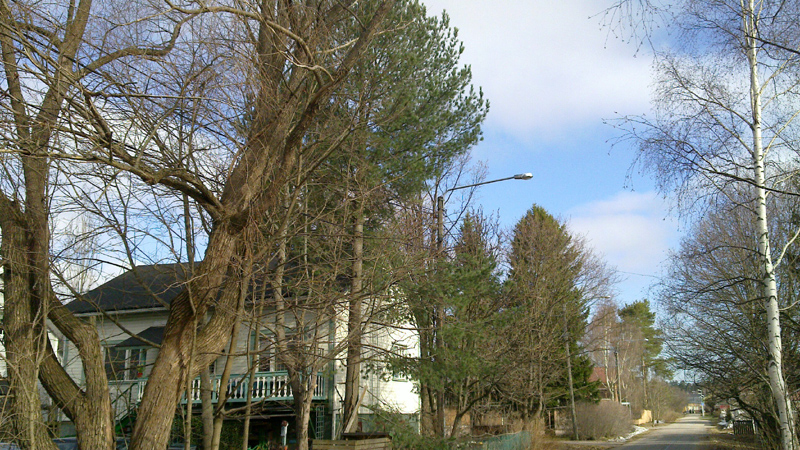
(777, 383)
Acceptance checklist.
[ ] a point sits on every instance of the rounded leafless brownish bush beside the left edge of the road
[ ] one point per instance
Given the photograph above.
(606, 419)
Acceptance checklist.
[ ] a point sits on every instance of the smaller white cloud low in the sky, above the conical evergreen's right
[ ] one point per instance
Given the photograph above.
(631, 230)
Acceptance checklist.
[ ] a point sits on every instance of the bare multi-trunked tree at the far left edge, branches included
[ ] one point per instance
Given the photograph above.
(47, 66)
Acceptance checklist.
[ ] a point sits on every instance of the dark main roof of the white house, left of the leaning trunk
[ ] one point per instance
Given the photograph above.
(139, 288)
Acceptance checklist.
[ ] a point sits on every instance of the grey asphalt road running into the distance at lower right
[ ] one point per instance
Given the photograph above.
(685, 434)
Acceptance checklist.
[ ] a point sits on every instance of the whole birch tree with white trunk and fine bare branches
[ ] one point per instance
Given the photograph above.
(726, 106)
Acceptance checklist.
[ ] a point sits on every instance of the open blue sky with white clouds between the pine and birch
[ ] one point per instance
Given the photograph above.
(553, 74)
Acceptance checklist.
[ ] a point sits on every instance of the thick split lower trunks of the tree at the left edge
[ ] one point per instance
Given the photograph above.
(29, 299)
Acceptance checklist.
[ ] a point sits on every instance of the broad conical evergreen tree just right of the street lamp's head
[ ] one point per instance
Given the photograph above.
(552, 277)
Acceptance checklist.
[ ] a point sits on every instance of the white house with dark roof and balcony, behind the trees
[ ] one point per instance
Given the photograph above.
(130, 312)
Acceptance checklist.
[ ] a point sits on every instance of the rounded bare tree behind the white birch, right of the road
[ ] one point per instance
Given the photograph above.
(713, 291)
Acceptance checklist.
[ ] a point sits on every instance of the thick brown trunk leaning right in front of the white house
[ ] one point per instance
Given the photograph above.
(253, 186)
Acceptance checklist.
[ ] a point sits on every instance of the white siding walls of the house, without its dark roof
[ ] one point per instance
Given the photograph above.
(383, 389)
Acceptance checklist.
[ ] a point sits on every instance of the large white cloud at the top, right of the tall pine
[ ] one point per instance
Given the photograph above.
(546, 65)
